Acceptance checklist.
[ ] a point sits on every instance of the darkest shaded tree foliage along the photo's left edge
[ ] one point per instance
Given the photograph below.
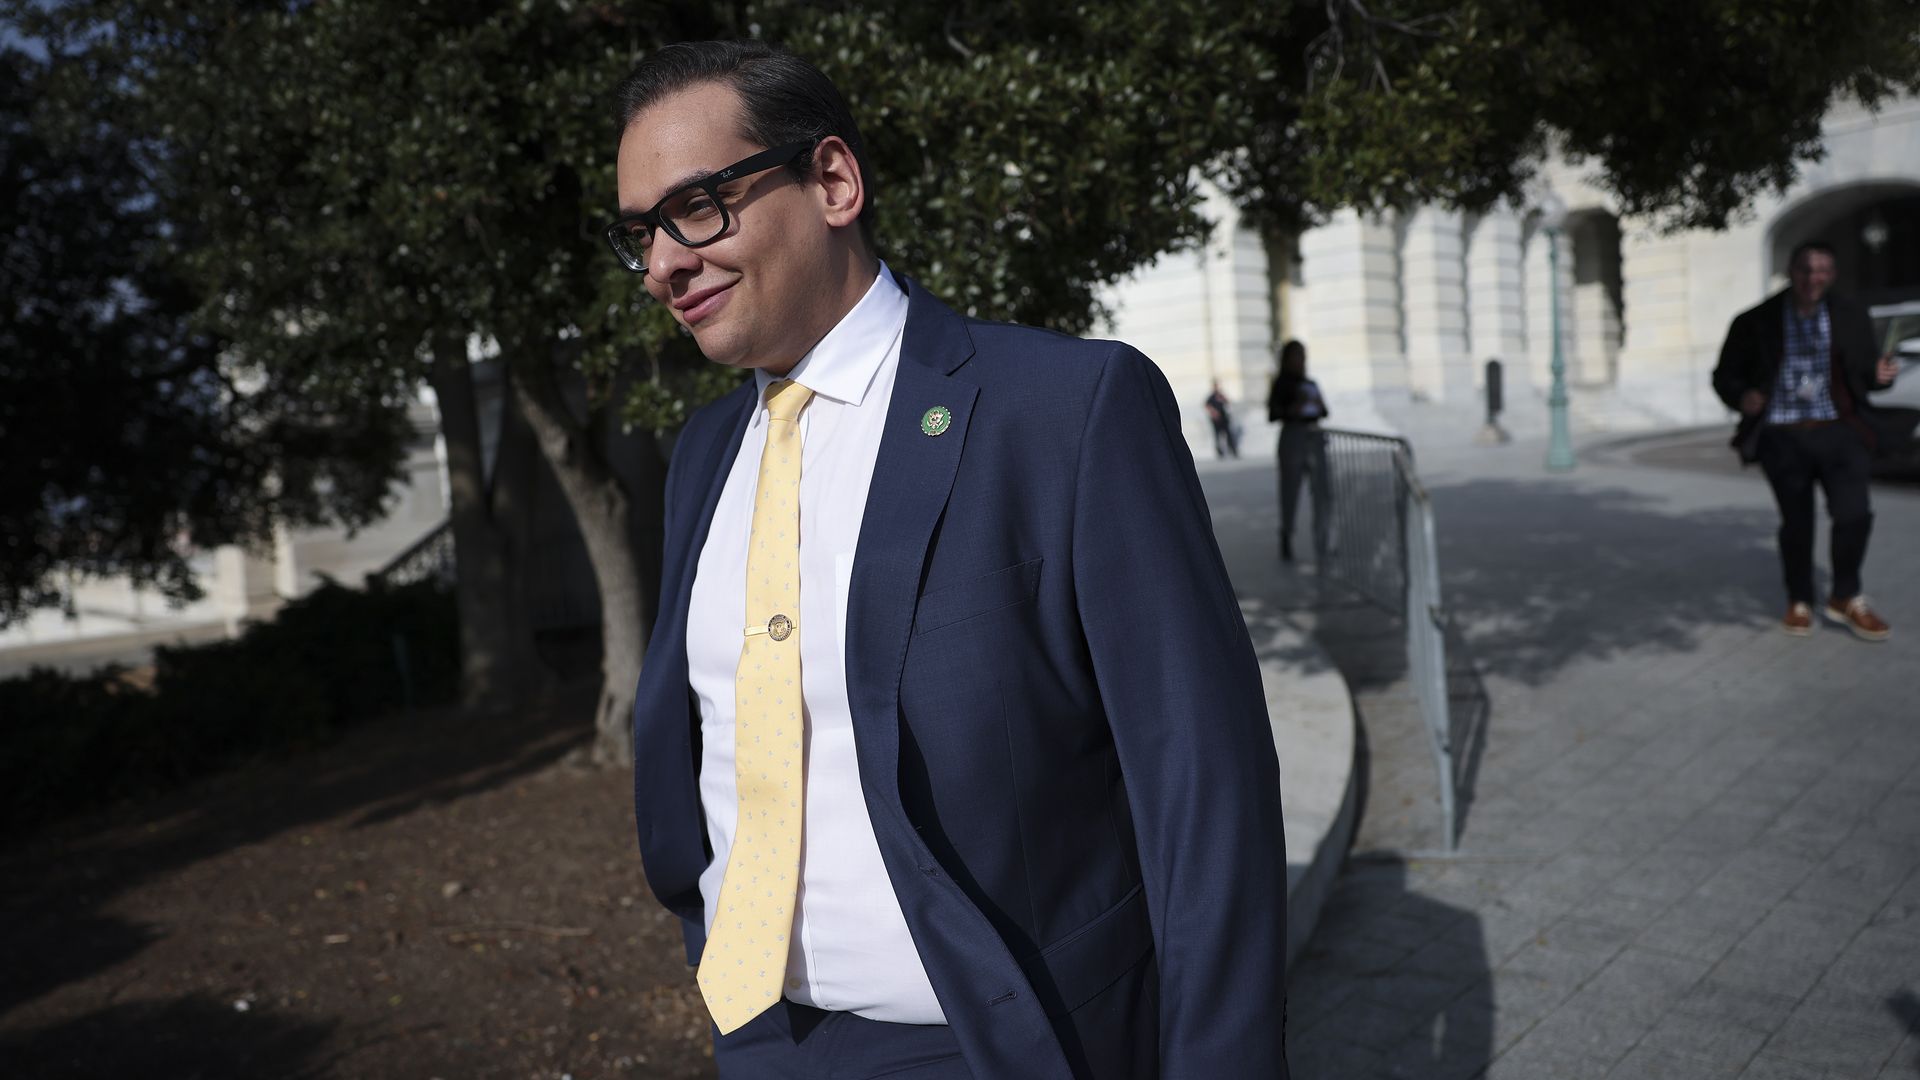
(130, 437)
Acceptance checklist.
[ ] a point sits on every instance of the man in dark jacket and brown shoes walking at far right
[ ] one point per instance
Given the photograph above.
(1798, 368)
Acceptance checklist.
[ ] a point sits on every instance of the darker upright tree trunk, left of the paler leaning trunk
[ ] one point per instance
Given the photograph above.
(496, 649)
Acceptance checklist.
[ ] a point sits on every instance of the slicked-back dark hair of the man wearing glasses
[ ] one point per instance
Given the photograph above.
(782, 99)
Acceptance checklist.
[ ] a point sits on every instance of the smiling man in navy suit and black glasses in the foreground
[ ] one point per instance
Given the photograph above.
(1042, 827)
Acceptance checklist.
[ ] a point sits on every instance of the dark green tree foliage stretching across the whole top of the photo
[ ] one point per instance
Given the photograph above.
(322, 205)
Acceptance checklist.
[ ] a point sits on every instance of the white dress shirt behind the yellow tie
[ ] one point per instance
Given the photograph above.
(850, 948)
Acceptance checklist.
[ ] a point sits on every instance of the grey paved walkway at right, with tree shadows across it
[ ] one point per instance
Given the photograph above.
(1691, 847)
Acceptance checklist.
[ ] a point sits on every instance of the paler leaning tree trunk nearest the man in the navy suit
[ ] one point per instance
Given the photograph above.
(604, 510)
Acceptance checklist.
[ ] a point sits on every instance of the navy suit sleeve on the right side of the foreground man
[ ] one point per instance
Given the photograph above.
(1189, 718)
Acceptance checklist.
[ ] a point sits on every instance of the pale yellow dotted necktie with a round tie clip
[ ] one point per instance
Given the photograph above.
(746, 956)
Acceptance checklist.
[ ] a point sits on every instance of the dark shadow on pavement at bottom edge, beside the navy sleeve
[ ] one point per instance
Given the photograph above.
(1391, 985)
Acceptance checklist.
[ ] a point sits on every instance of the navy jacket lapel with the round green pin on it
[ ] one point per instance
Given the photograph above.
(913, 479)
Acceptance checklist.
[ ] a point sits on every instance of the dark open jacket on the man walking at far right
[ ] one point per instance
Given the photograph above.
(1756, 347)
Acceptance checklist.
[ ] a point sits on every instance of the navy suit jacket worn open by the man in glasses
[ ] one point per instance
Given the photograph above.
(1057, 710)
